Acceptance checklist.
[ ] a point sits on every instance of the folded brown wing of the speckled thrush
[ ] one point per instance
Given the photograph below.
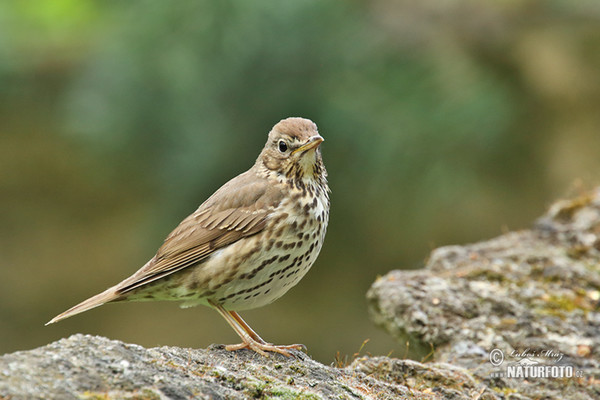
(238, 209)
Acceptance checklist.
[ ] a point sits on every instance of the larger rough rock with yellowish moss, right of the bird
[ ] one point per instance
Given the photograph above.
(532, 295)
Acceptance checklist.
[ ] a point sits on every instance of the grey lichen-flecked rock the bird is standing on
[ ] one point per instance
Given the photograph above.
(92, 367)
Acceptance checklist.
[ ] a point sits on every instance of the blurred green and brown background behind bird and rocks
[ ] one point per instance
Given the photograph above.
(445, 122)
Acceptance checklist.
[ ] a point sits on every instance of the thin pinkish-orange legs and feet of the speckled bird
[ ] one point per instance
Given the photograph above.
(250, 339)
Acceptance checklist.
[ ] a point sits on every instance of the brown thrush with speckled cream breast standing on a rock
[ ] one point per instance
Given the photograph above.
(247, 244)
